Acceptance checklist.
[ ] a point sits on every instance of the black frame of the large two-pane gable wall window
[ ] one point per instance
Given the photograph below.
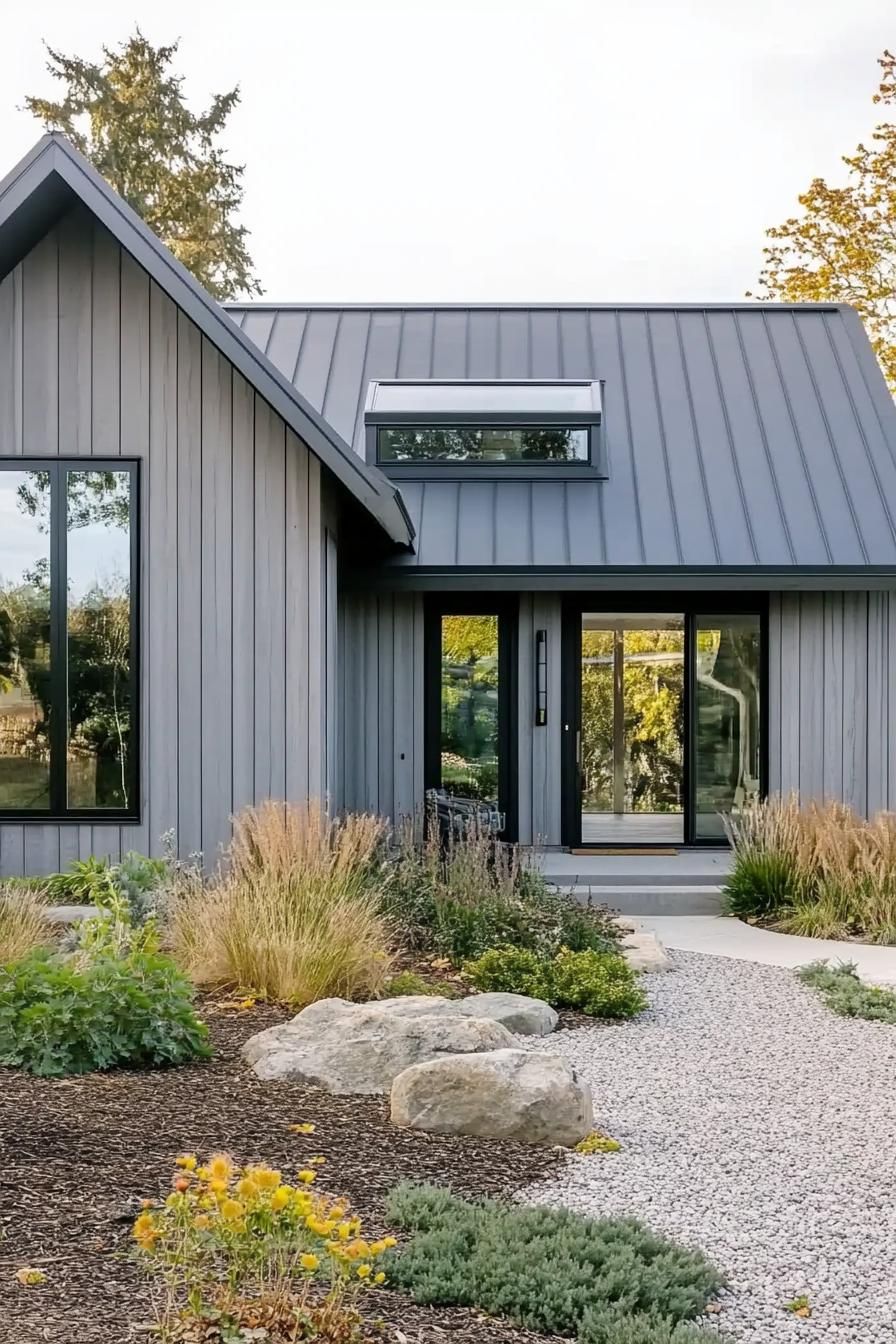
(60, 810)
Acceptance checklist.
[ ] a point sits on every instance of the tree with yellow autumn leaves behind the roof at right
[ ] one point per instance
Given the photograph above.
(843, 247)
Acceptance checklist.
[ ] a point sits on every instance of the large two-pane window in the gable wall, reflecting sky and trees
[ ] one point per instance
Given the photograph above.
(68, 639)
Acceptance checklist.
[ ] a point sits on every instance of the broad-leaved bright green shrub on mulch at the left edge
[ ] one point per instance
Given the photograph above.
(71, 1015)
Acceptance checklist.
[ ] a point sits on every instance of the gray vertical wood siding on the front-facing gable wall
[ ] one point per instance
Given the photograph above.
(238, 561)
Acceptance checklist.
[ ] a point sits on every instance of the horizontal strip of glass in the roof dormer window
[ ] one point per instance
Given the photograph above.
(460, 444)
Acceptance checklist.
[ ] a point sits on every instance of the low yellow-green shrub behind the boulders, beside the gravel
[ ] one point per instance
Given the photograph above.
(601, 984)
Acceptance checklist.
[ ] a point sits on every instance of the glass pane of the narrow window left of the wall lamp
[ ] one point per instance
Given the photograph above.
(469, 706)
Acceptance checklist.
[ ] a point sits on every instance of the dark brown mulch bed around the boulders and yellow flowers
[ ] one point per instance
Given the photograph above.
(76, 1154)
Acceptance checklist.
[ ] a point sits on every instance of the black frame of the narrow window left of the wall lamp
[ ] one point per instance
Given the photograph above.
(507, 608)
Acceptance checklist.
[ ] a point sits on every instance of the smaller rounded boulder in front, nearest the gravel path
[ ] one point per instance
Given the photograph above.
(535, 1099)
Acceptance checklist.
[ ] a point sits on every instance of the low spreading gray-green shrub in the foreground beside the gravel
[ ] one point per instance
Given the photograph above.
(549, 1269)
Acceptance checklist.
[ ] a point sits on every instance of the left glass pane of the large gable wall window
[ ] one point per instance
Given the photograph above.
(25, 642)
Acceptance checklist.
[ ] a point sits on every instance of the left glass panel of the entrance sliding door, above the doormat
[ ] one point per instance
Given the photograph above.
(631, 748)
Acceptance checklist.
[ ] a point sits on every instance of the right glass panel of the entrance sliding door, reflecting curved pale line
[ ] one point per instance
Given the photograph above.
(727, 718)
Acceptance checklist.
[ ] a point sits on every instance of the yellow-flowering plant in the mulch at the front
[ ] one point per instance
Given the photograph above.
(242, 1249)
